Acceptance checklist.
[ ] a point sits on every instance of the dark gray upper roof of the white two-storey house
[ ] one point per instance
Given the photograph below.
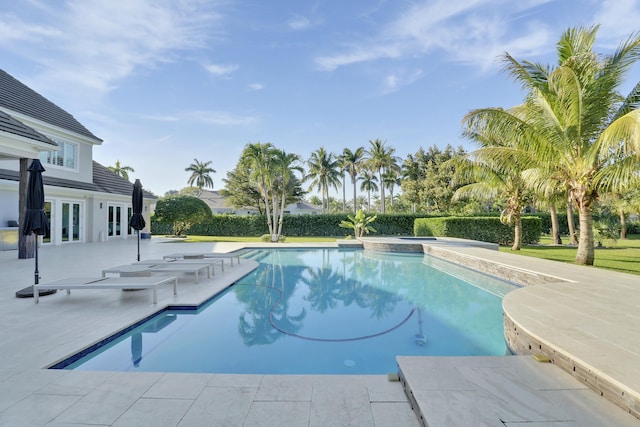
(18, 97)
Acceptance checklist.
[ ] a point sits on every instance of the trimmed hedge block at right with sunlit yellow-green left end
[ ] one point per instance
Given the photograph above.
(485, 229)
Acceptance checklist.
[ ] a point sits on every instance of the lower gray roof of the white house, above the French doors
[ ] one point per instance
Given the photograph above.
(104, 181)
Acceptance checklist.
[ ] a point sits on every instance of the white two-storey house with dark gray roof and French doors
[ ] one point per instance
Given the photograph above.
(85, 201)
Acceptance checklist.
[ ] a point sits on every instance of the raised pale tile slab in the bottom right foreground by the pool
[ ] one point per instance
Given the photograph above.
(501, 390)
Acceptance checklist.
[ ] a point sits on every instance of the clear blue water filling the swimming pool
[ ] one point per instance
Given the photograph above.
(320, 311)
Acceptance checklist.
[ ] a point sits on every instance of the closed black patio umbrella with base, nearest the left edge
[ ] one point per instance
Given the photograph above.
(35, 220)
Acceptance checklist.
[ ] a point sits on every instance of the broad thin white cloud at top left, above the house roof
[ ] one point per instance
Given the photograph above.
(95, 43)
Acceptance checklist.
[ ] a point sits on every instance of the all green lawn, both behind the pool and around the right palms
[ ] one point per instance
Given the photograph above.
(622, 255)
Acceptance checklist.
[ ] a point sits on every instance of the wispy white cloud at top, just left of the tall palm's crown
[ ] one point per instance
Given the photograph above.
(471, 31)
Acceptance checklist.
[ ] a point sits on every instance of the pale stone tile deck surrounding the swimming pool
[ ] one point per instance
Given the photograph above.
(598, 325)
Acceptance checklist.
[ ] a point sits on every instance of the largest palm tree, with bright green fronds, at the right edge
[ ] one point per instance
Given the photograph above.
(580, 131)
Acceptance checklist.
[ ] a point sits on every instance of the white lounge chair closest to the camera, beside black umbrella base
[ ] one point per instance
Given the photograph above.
(107, 283)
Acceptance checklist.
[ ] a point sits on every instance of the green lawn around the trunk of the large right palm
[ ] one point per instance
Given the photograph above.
(622, 255)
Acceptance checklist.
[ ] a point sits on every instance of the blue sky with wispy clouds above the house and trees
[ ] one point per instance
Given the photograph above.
(164, 82)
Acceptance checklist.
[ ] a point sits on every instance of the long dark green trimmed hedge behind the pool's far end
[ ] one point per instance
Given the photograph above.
(294, 225)
